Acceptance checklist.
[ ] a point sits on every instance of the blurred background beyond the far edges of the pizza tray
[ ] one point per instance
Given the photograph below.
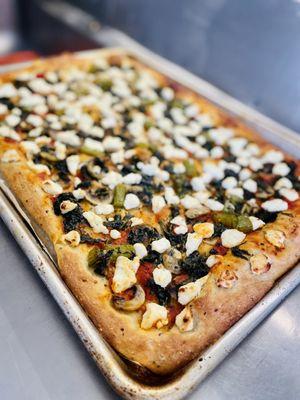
(249, 49)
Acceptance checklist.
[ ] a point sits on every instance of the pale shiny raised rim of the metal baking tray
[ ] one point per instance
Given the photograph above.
(102, 354)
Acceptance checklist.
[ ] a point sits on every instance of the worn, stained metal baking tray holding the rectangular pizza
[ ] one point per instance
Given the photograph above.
(125, 377)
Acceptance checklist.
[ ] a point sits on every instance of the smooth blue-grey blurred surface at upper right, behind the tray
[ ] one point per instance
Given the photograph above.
(249, 48)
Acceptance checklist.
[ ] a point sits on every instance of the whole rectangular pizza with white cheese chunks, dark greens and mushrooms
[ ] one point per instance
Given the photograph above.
(169, 218)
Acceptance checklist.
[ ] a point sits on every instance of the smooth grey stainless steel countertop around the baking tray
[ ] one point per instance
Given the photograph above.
(40, 355)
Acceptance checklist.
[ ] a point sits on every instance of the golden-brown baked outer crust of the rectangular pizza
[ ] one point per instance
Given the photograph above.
(162, 351)
